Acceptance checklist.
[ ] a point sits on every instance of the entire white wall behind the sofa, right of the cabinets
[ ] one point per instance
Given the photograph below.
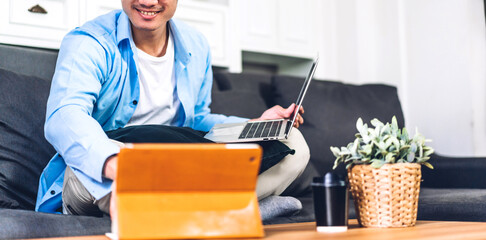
(434, 51)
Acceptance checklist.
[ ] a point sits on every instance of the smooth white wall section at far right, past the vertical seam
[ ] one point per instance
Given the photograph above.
(445, 39)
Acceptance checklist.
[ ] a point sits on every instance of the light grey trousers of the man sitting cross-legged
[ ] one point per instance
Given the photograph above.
(78, 201)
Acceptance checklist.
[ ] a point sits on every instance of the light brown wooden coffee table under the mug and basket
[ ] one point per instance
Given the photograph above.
(423, 230)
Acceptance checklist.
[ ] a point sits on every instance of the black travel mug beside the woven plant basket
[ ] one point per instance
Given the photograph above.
(330, 203)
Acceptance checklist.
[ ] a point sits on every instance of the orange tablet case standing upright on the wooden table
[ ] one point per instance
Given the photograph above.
(187, 191)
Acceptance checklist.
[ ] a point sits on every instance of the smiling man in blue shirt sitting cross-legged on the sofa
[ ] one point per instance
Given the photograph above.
(123, 70)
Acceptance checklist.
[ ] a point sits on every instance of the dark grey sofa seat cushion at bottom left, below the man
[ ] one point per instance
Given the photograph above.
(16, 223)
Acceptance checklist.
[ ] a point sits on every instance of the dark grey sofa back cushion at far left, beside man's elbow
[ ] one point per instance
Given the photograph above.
(24, 152)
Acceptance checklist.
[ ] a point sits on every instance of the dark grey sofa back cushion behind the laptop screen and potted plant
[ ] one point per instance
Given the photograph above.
(331, 111)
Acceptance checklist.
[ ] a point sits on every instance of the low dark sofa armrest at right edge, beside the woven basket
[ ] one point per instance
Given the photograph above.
(455, 172)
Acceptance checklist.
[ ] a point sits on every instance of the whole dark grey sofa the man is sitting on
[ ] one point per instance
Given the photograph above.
(455, 190)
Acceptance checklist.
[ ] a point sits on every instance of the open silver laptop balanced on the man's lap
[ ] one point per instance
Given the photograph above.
(265, 130)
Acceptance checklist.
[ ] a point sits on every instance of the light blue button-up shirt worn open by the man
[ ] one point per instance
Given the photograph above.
(95, 89)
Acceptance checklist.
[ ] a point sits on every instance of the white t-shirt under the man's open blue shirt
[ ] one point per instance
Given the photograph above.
(158, 103)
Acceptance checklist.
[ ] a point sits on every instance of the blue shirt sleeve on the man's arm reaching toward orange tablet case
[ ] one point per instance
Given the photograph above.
(70, 128)
